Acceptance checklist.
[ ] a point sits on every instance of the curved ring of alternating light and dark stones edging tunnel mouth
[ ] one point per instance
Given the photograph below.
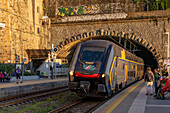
(66, 45)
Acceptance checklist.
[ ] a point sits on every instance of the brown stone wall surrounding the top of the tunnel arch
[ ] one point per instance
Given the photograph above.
(151, 30)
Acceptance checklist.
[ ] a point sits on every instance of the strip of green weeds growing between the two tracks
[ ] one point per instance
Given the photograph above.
(42, 106)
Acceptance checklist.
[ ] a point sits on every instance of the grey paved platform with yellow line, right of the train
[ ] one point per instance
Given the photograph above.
(134, 100)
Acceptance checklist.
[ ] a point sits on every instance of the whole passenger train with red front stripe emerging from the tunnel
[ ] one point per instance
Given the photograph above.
(100, 68)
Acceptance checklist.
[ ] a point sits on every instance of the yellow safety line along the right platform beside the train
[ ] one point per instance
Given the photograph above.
(117, 101)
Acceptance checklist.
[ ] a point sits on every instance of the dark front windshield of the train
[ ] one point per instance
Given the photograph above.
(92, 54)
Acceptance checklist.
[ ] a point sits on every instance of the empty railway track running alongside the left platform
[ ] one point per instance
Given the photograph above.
(25, 98)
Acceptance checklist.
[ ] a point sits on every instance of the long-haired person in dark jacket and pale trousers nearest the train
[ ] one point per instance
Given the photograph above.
(149, 78)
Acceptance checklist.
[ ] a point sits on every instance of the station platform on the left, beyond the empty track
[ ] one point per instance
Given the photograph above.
(12, 89)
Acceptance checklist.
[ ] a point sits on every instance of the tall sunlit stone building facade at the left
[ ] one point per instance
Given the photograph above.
(23, 29)
